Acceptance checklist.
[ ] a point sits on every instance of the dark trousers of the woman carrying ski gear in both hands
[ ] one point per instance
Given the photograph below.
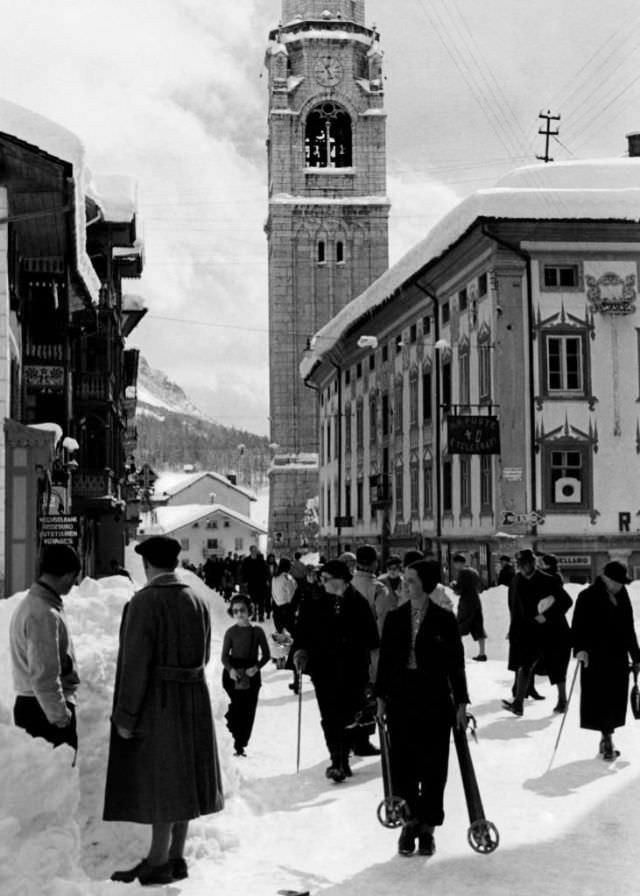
(419, 739)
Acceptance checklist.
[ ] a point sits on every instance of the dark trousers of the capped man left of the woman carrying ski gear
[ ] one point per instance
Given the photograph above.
(338, 702)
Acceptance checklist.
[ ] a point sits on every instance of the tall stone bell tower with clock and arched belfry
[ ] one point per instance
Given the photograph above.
(327, 227)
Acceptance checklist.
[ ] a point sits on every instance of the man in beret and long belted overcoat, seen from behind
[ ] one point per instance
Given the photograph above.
(163, 762)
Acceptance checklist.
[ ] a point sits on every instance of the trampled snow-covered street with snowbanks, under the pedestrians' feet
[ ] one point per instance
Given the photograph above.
(569, 830)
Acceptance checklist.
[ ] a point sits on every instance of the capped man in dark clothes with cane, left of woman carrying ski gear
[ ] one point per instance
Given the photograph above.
(336, 643)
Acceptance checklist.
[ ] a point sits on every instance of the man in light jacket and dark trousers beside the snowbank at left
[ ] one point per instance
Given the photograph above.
(45, 676)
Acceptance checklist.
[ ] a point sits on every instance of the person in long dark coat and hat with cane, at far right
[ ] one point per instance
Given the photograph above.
(604, 639)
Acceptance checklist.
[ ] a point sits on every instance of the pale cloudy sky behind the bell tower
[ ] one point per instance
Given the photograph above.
(170, 92)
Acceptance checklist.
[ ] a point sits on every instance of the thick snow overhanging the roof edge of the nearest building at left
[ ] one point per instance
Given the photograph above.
(34, 129)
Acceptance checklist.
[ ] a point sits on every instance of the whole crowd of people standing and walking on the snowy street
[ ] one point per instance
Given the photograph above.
(373, 642)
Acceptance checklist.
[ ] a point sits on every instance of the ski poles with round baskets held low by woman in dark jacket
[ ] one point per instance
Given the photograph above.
(482, 835)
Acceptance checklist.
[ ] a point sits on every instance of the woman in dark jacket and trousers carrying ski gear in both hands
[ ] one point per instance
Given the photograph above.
(422, 690)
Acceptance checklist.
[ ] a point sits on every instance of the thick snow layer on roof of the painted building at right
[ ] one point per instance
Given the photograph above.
(598, 189)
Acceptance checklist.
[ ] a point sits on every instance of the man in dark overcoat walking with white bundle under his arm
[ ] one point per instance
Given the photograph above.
(538, 604)
